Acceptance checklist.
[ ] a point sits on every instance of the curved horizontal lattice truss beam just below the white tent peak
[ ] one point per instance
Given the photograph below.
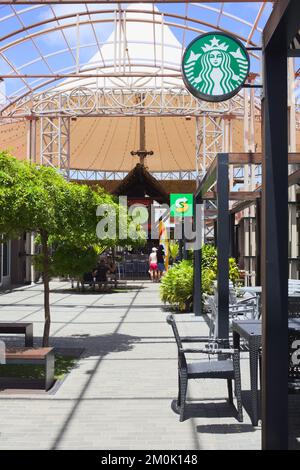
(84, 101)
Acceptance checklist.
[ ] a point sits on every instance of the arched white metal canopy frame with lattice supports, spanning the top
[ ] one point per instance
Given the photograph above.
(59, 62)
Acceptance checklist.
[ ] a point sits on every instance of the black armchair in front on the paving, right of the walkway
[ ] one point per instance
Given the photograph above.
(228, 367)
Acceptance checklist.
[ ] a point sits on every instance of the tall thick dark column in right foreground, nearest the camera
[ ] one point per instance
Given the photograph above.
(275, 245)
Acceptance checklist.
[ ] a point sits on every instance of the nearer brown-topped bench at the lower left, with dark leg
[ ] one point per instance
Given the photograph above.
(33, 356)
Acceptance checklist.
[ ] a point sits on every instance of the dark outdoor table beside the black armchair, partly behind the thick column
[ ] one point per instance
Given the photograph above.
(251, 331)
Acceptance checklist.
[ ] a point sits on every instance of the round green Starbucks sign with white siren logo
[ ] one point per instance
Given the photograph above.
(215, 66)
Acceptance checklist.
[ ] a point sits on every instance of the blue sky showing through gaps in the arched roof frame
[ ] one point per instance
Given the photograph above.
(51, 43)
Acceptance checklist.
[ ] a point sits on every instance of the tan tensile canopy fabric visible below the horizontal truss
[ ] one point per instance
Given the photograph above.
(106, 143)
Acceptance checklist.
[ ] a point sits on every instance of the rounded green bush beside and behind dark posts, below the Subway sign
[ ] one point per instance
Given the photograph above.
(177, 284)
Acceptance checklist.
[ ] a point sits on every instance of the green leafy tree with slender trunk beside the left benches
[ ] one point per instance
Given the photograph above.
(38, 199)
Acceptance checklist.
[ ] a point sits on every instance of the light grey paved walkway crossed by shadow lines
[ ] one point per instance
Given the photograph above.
(119, 395)
